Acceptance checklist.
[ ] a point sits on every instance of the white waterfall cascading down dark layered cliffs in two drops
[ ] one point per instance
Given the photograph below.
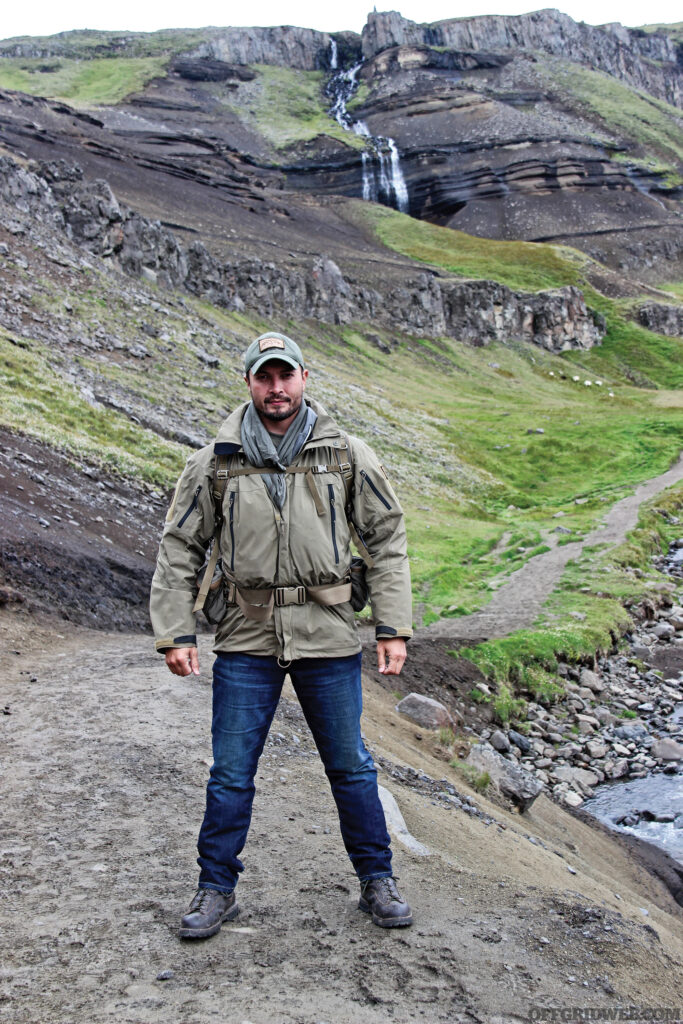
(383, 180)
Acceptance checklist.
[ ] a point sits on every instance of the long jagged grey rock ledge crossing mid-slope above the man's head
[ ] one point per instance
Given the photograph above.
(477, 312)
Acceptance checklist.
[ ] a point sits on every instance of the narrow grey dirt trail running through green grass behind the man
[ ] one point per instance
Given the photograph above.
(519, 603)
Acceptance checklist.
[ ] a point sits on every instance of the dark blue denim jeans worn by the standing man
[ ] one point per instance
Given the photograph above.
(246, 692)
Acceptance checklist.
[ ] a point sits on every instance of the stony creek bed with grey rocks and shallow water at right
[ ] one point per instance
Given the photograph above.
(615, 746)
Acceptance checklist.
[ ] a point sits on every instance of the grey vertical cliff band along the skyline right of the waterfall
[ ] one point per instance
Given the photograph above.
(646, 61)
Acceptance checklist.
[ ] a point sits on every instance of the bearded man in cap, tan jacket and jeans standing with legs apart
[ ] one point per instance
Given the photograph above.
(288, 481)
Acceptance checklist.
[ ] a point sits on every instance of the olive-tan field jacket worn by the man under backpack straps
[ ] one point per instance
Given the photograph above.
(263, 547)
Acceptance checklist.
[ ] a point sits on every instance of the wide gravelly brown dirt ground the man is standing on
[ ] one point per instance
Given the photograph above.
(104, 775)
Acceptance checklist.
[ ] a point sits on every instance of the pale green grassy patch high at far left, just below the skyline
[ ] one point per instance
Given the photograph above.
(100, 81)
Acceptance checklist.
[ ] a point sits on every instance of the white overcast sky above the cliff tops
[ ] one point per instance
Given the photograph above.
(40, 18)
